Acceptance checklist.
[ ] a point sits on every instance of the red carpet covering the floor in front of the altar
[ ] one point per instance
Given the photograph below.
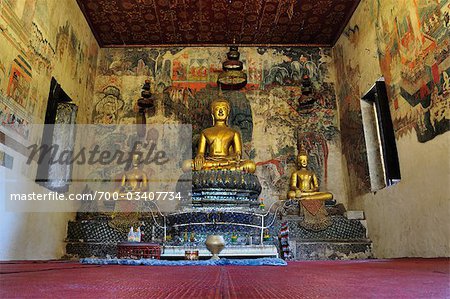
(400, 278)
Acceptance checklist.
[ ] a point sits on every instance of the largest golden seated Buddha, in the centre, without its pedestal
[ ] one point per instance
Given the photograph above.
(219, 147)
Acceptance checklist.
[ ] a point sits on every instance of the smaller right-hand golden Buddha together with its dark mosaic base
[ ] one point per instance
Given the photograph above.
(313, 226)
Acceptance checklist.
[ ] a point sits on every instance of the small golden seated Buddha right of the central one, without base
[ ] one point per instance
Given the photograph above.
(304, 184)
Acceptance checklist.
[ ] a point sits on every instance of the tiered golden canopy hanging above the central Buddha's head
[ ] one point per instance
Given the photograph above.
(232, 77)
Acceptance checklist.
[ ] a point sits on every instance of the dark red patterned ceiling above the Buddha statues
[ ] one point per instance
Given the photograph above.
(127, 23)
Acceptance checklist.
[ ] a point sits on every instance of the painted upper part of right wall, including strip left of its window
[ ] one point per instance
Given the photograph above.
(409, 41)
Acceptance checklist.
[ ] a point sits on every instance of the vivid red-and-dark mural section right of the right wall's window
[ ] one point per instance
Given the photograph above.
(414, 57)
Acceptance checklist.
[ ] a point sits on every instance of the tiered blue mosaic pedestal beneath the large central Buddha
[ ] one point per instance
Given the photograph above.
(226, 203)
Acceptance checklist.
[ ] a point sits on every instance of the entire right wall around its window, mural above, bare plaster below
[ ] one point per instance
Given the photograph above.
(407, 42)
